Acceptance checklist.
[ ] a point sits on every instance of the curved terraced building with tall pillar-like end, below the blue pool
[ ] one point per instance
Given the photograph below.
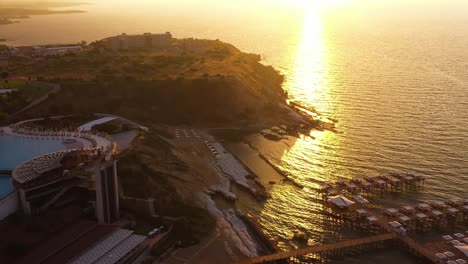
(69, 176)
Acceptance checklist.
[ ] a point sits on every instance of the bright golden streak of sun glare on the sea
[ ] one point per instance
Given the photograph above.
(307, 82)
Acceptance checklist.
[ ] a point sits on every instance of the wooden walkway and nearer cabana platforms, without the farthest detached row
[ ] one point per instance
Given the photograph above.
(391, 226)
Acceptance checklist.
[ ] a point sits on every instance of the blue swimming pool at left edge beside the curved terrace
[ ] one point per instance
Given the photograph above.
(15, 150)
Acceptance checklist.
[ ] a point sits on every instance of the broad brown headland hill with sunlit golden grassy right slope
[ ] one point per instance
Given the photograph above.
(191, 82)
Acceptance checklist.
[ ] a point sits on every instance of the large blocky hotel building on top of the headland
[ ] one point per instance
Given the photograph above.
(146, 41)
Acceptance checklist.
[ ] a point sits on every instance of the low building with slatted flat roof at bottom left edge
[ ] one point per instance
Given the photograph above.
(88, 242)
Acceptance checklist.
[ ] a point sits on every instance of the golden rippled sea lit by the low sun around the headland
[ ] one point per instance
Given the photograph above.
(391, 75)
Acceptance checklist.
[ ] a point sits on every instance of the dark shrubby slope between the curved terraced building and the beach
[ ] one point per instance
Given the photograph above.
(144, 173)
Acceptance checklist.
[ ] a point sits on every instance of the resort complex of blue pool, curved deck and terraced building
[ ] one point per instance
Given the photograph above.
(80, 169)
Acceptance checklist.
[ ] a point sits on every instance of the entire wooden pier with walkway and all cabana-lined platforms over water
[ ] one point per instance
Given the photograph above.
(386, 227)
